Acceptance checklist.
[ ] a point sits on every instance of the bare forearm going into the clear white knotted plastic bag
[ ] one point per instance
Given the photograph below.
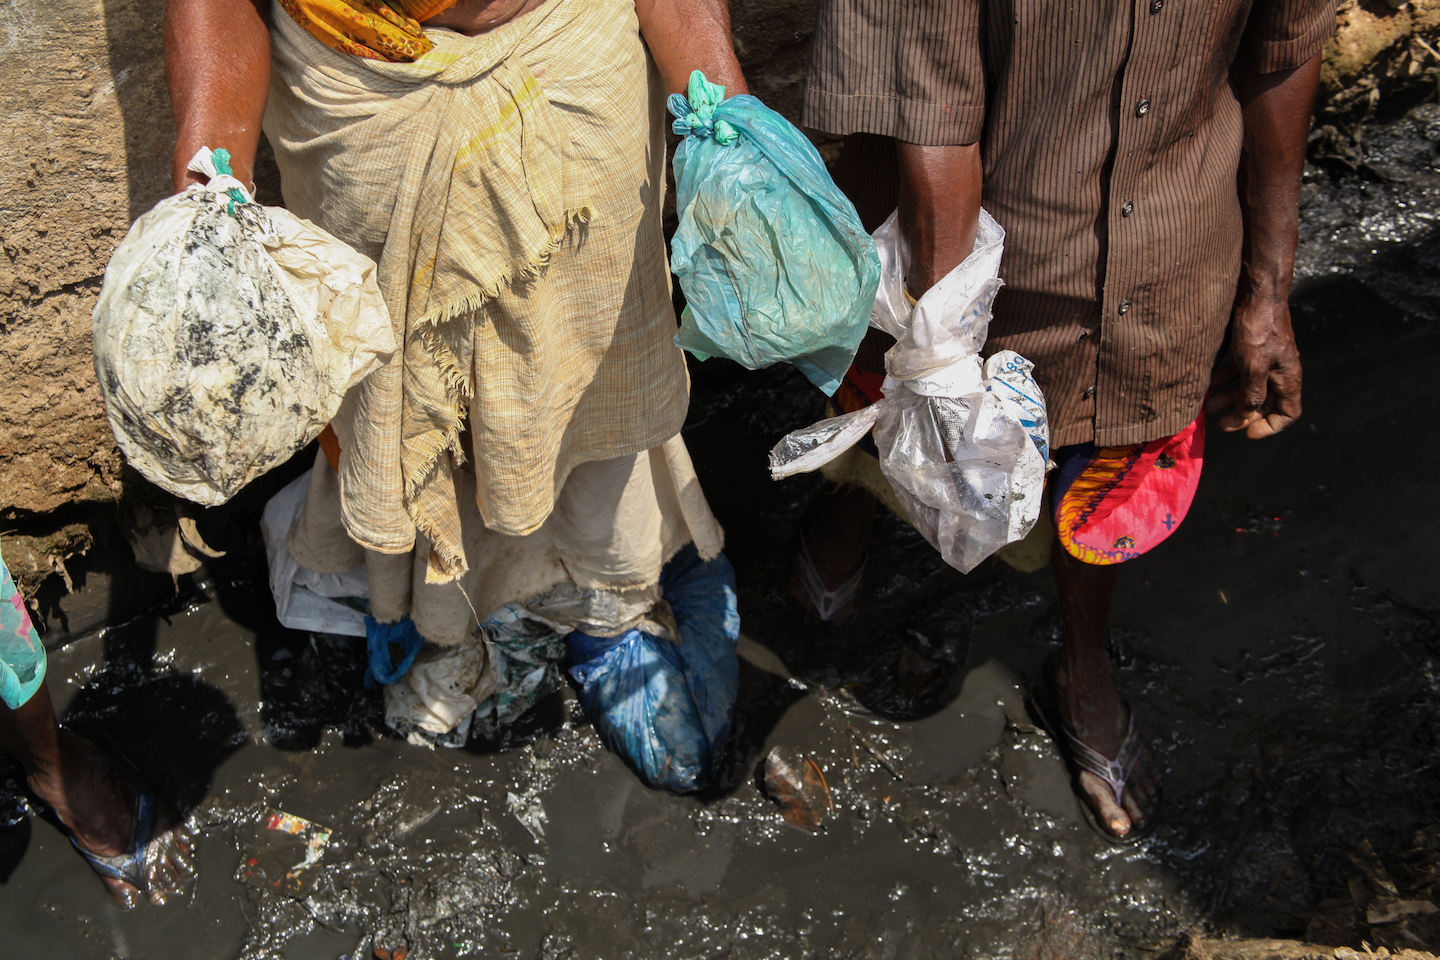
(940, 209)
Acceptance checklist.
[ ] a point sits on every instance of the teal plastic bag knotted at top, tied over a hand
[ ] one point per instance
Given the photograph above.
(771, 255)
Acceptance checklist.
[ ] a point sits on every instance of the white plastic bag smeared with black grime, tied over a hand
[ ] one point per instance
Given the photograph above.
(227, 335)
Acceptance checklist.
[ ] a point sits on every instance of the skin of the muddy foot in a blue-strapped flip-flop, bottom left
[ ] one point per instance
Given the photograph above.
(96, 801)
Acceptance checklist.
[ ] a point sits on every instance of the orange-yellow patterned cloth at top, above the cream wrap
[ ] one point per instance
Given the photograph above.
(374, 30)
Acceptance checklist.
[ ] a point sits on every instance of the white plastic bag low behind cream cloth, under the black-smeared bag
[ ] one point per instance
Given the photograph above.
(305, 599)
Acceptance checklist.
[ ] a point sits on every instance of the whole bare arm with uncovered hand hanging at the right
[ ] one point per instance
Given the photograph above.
(1266, 359)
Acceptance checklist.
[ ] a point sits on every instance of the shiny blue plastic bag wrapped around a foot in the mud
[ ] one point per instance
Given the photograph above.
(666, 706)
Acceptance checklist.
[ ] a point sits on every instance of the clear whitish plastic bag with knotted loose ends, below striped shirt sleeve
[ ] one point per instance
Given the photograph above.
(964, 444)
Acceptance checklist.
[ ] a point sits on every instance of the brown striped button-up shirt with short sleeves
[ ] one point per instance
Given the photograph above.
(1111, 140)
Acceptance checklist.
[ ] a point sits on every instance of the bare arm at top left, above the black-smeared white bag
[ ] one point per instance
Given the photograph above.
(218, 65)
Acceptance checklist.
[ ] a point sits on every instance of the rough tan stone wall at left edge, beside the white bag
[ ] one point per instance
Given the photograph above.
(84, 150)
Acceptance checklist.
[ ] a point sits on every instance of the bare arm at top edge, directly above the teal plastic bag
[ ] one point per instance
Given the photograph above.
(690, 35)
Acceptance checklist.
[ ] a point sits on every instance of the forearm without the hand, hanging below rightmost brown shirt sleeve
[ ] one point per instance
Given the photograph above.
(1278, 122)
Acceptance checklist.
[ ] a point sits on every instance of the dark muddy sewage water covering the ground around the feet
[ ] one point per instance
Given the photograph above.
(1282, 651)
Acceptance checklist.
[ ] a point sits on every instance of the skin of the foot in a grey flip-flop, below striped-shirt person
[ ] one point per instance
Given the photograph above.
(1091, 709)
